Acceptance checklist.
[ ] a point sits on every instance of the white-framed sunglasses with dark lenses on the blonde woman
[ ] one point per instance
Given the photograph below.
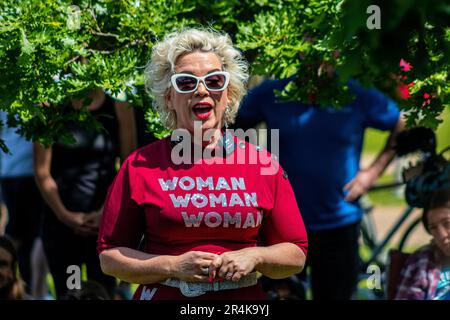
(214, 81)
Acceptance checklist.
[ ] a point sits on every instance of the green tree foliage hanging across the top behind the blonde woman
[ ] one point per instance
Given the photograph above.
(43, 44)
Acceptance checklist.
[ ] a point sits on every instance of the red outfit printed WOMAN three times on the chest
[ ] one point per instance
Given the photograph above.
(202, 207)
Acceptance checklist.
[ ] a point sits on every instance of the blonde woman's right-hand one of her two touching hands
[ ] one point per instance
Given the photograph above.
(233, 265)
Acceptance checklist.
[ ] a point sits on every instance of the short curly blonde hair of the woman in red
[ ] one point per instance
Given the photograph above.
(164, 57)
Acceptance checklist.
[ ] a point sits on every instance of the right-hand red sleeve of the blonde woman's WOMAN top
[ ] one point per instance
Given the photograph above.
(284, 222)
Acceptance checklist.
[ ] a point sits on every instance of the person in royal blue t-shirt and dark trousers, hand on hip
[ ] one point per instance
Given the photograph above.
(320, 149)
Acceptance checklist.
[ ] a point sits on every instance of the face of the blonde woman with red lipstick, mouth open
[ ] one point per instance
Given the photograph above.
(207, 107)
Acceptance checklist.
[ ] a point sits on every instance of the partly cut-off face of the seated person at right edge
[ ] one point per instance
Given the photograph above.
(439, 226)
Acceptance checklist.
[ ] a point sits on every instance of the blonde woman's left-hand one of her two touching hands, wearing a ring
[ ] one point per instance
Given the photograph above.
(188, 266)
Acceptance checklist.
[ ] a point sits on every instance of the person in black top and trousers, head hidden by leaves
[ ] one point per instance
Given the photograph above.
(74, 179)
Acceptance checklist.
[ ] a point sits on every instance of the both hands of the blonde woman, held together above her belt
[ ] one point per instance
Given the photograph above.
(199, 266)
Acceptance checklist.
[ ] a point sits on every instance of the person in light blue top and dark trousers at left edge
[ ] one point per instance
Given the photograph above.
(24, 205)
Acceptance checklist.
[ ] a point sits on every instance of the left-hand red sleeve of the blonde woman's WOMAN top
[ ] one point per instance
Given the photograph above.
(123, 221)
